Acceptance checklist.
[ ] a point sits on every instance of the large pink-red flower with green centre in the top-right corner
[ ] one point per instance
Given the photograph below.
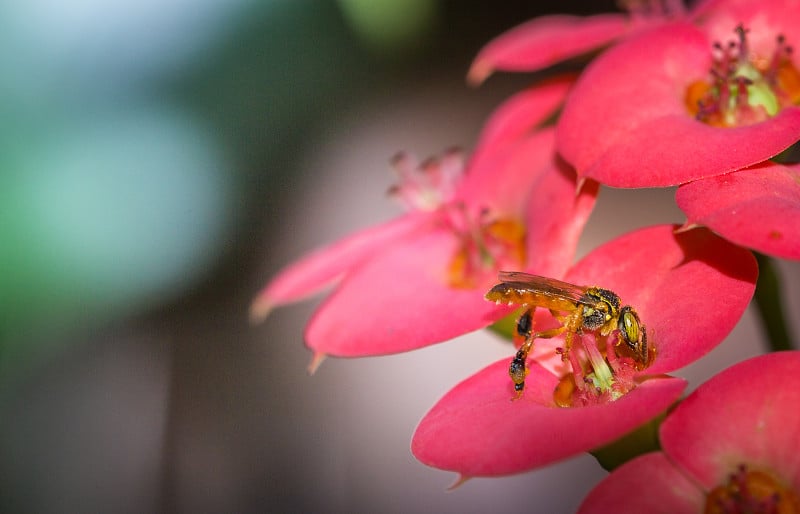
(688, 101)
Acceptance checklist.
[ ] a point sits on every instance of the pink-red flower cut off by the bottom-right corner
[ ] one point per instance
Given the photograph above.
(731, 446)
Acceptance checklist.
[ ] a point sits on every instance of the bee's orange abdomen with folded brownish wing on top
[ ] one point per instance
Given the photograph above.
(518, 287)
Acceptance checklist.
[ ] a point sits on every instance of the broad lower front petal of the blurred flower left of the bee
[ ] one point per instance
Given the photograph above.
(399, 300)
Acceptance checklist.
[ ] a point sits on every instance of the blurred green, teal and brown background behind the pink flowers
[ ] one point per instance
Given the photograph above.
(159, 162)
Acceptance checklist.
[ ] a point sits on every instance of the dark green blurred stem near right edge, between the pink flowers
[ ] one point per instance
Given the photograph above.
(769, 303)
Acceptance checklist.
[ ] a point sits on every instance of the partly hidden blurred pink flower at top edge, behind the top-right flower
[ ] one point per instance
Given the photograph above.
(547, 40)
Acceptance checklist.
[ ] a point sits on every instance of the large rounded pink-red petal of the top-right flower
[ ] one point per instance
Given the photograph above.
(625, 123)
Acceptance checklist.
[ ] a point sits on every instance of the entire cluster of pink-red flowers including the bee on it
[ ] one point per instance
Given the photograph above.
(701, 99)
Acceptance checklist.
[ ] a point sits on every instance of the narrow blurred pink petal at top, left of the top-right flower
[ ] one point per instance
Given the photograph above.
(545, 41)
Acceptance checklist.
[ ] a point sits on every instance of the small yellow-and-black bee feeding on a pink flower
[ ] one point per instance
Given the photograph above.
(578, 308)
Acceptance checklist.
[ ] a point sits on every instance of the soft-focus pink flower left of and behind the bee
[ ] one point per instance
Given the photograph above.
(419, 279)
